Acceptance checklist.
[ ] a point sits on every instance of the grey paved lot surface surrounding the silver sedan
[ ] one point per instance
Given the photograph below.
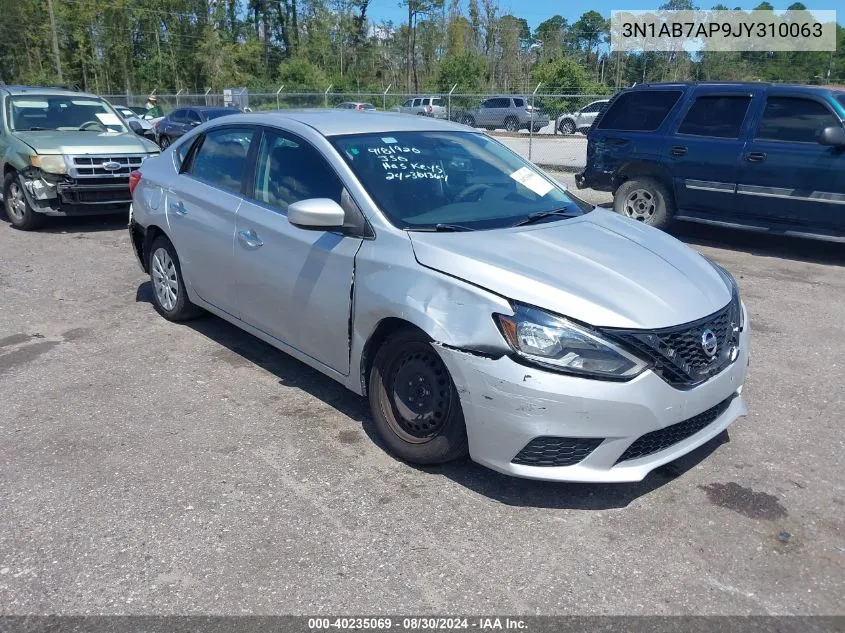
(148, 467)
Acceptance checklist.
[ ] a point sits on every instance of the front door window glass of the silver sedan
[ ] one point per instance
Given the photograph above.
(288, 170)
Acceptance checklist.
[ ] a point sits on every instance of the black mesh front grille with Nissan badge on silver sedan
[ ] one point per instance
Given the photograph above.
(678, 354)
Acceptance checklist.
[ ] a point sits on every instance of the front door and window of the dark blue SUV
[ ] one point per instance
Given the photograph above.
(787, 176)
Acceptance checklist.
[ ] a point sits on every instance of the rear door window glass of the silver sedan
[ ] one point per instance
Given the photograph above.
(221, 159)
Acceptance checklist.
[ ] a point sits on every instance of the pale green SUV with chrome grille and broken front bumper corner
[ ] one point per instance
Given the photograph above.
(64, 153)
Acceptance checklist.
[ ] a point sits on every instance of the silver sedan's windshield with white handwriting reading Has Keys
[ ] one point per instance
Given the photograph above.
(422, 179)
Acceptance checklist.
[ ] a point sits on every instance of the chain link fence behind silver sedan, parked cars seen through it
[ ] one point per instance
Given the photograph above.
(546, 128)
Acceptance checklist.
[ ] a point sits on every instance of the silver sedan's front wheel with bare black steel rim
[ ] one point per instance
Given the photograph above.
(437, 433)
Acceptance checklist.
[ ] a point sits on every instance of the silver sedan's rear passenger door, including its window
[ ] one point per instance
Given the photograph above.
(201, 206)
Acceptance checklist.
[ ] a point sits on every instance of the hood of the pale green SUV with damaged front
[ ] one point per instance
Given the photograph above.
(56, 142)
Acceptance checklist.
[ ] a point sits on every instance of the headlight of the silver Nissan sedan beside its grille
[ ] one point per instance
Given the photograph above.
(557, 343)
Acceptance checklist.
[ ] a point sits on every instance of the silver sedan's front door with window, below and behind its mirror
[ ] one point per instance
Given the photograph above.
(294, 284)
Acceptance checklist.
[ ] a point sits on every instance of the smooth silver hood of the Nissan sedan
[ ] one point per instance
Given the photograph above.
(601, 269)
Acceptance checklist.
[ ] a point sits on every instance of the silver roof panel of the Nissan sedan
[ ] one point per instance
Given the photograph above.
(331, 122)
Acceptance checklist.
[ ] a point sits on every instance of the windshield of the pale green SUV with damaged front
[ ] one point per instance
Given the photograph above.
(65, 113)
